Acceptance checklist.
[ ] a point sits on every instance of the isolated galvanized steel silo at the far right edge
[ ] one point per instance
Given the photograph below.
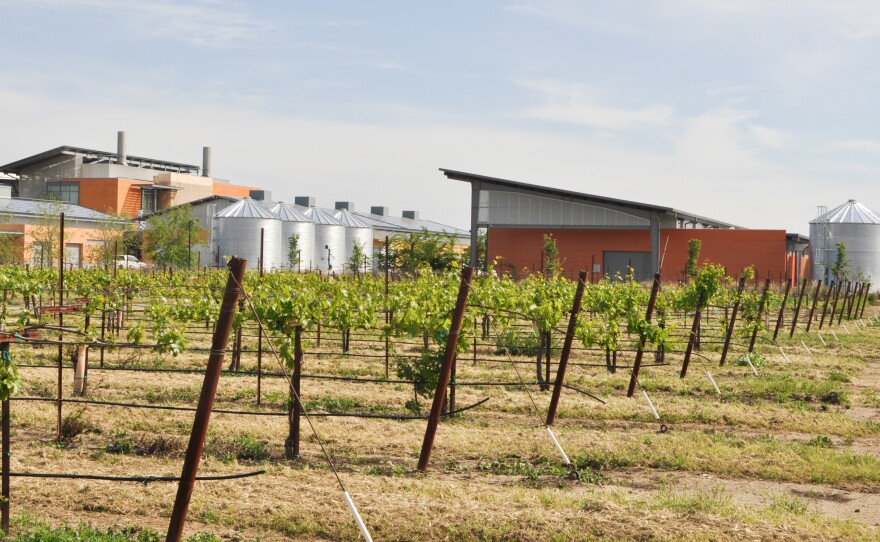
(855, 226)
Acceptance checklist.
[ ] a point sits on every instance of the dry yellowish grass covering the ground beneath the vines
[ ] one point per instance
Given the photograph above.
(494, 475)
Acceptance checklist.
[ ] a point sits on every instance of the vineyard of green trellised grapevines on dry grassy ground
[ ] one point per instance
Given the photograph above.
(717, 409)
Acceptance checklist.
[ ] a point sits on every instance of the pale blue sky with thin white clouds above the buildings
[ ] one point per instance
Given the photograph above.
(752, 112)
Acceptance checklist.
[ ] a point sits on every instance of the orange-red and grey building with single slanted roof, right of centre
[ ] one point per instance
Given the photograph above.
(606, 236)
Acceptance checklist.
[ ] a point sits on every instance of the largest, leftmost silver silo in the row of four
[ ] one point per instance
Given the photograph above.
(237, 232)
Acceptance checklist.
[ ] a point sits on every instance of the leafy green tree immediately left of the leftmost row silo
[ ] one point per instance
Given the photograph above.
(167, 236)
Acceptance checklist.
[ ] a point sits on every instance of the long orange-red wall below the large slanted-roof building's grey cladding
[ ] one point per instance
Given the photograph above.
(520, 248)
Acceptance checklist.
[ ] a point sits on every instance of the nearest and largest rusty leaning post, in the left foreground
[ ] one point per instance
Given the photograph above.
(206, 399)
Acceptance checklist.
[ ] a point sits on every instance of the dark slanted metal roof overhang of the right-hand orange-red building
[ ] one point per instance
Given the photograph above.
(642, 209)
